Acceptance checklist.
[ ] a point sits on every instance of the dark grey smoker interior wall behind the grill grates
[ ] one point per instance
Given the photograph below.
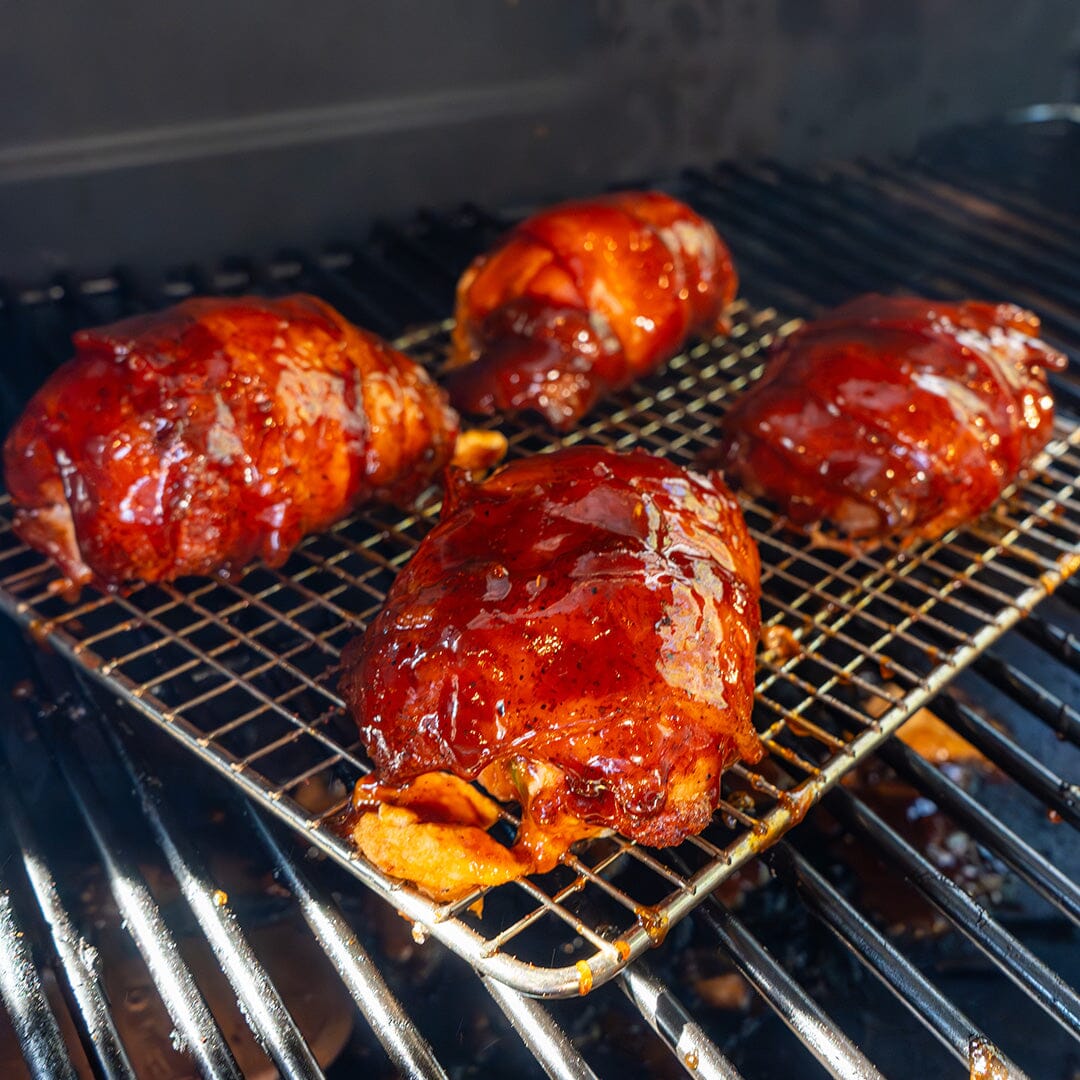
(161, 133)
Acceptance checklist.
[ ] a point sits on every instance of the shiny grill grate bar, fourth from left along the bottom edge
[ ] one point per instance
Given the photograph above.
(265, 1012)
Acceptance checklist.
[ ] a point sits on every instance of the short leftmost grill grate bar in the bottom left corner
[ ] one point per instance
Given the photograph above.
(24, 997)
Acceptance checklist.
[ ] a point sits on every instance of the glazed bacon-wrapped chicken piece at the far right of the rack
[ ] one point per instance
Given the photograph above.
(895, 416)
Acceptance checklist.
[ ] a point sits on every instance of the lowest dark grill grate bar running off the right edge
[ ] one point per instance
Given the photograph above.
(1025, 969)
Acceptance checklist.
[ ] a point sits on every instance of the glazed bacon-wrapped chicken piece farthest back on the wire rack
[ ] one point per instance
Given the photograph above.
(584, 299)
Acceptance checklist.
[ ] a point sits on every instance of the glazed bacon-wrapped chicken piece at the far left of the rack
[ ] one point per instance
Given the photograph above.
(200, 438)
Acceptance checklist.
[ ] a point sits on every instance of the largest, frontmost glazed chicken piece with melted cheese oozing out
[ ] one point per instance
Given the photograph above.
(578, 633)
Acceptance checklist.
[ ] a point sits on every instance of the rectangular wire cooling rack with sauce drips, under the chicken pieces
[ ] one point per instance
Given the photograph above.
(244, 672)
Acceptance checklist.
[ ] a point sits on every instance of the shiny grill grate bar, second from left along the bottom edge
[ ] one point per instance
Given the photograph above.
(73, 950)
